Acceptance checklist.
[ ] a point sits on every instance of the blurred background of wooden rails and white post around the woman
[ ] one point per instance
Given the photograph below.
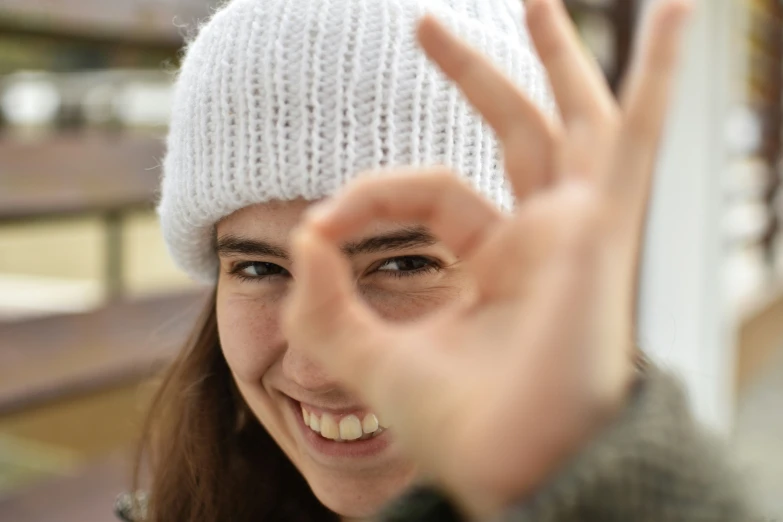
(91, 306)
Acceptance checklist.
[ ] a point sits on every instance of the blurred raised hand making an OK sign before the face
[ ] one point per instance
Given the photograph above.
(491, 396)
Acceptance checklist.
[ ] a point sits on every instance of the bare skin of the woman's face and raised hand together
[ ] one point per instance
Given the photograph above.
(537, 317)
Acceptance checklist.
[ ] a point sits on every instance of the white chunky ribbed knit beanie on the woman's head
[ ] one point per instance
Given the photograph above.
(286, 99)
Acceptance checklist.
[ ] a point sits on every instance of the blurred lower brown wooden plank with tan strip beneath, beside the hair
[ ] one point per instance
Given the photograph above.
(79, 384)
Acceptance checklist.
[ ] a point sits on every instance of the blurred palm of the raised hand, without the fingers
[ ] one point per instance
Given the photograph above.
(507, 357)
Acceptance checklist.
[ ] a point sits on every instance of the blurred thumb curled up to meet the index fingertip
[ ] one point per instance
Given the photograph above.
(326, 319)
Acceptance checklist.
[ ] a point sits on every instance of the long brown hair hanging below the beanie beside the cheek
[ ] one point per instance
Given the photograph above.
(206, 456)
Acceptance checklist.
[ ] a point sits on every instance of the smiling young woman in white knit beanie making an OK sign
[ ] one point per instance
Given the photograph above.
(461, 320)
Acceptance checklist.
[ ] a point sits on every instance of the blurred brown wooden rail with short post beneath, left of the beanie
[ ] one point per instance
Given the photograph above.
(77, 175)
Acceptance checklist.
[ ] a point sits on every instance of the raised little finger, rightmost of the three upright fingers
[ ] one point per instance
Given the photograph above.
(645, 102)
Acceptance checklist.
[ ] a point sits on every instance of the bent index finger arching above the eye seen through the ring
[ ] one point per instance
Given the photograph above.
(454, 212)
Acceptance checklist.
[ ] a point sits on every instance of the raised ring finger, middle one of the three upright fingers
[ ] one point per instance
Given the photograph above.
(578, 84)
